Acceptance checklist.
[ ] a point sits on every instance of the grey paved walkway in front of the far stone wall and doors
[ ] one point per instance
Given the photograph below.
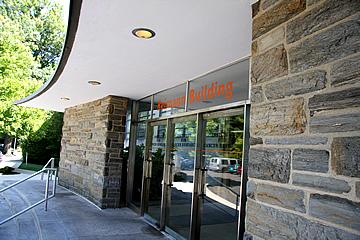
(68, 217)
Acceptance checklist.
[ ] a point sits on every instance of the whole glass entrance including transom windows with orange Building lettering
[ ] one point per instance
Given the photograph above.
(188, 153)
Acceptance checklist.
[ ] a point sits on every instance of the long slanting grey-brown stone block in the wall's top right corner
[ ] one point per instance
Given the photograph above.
(320, 17)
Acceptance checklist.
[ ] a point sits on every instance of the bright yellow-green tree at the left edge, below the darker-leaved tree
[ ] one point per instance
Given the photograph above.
(16, 63)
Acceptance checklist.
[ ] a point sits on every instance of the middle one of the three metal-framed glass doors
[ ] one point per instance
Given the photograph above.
(181, 175)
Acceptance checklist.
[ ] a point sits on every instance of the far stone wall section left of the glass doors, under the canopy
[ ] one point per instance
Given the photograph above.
(91, 145)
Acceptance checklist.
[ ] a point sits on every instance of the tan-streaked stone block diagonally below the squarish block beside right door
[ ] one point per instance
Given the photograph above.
(279, 196)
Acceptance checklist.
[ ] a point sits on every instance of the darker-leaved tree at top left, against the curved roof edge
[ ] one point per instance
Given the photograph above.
(42, 29)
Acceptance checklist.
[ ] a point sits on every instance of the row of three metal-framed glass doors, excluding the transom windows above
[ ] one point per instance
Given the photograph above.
(192, 174)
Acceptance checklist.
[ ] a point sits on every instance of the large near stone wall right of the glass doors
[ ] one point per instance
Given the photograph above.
(304, 167)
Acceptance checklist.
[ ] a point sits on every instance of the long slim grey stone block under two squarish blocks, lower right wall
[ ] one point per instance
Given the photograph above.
(327, 184)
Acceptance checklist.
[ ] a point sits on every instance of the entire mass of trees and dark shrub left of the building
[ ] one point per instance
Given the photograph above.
(32, 34)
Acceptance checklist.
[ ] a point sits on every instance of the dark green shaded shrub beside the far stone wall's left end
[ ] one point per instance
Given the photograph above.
(45, 142)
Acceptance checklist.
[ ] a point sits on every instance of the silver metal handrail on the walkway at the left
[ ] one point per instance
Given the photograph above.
(50, 171)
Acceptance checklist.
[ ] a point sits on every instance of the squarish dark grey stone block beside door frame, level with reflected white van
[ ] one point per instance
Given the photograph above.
(270, 164)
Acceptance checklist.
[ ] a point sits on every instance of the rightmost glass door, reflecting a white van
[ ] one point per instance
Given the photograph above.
(222, 153)
